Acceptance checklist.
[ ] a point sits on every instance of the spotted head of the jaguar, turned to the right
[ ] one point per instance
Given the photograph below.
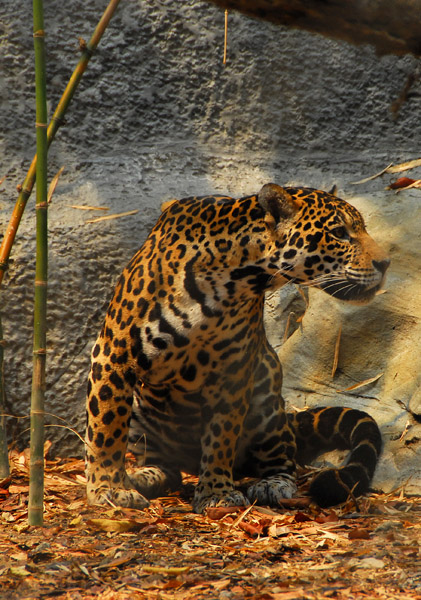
(322, 241)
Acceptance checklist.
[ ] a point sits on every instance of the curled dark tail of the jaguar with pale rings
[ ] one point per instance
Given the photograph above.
(323, 429)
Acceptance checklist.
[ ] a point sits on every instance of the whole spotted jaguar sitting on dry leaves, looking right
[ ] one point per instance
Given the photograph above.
(182, 372)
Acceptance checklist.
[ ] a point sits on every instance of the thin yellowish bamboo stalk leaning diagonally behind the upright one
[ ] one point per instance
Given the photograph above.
(56, 121)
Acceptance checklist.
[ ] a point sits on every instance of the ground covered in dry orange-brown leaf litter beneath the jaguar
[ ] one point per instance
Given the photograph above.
(364, 549)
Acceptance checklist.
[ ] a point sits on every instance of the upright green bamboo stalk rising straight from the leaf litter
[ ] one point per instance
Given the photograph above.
(36, 466)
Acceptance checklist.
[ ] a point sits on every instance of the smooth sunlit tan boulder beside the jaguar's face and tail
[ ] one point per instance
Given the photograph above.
(331, 347)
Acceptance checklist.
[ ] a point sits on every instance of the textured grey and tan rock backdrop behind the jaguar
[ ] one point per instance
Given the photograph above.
(159, 116)
